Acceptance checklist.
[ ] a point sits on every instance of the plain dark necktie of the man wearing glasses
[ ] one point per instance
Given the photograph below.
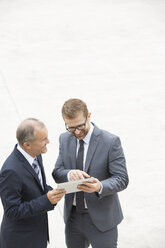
(79, 165)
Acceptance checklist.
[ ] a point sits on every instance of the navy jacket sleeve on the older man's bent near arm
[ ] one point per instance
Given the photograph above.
(12, 198)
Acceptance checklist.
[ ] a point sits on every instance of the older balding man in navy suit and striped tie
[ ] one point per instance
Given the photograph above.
(25, 196)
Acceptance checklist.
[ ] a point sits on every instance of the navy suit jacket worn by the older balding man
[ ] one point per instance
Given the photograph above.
(25, 203)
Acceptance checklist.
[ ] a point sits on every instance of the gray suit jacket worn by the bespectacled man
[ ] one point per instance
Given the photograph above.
(105, 160)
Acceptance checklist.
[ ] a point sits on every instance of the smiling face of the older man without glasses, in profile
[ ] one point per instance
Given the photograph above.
(38, 146)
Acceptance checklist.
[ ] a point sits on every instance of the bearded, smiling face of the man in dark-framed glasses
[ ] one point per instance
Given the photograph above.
(80, 123)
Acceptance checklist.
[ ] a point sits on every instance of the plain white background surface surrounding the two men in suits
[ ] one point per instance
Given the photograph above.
(112, 55)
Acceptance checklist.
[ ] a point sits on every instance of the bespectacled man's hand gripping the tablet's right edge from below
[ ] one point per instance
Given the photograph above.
(90, 187)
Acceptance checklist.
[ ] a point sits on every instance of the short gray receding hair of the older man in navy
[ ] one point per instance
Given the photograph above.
(26, 130)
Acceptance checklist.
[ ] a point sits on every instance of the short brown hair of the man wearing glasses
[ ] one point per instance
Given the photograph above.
(72, 107)
